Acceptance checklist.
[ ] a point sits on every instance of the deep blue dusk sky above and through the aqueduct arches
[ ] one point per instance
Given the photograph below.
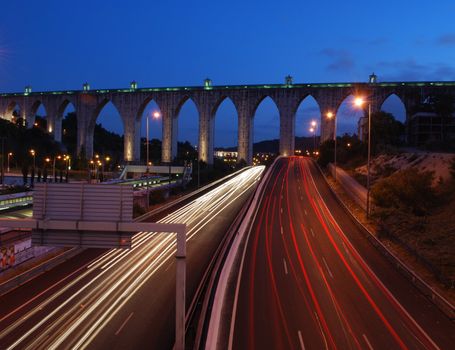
(57, 45)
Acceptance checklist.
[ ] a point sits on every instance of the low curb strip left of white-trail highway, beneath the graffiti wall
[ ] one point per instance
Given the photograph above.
(26, 276)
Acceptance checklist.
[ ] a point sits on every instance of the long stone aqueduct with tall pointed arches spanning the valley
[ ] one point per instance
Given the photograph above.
(131, 102)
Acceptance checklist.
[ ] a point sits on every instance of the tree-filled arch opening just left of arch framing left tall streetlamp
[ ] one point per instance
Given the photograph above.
(104, 142)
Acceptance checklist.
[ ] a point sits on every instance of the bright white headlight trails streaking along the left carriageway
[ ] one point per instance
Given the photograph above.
(109, 282)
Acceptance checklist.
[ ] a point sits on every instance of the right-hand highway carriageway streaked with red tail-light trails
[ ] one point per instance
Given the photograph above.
(309, 279)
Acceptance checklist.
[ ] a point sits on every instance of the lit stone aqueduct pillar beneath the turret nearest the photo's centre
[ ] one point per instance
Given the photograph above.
(206, 132)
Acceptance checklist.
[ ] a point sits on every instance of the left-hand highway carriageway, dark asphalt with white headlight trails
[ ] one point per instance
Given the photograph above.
(122, 299)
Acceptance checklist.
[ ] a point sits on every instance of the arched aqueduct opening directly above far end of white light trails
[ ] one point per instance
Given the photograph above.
(266, 130)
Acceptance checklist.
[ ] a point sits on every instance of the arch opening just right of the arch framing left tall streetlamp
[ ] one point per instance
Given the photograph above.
(187, 131)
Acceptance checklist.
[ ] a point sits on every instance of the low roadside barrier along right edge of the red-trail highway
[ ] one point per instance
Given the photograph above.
(443, 304)
